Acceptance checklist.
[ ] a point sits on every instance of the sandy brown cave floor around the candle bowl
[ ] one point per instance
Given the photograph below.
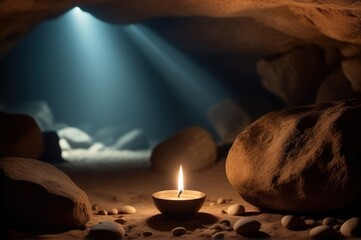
(111, 186)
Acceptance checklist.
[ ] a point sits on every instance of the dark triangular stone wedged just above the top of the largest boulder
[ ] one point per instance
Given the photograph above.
(335, 87)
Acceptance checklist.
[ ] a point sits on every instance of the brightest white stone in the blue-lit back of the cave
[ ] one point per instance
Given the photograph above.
(75, 137)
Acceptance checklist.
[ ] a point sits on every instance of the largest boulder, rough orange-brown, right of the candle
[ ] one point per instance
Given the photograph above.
(302, 159)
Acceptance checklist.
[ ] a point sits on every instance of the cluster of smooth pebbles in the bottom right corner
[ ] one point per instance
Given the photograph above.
(329, 228)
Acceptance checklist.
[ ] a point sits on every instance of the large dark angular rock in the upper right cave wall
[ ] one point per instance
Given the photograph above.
(295, 76)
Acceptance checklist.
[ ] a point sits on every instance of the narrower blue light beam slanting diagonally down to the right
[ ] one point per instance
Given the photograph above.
(197, 89)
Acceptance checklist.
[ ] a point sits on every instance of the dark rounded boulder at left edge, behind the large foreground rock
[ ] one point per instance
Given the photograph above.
(20, 136)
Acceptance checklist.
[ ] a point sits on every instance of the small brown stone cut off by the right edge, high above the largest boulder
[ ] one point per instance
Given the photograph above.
(352, 70)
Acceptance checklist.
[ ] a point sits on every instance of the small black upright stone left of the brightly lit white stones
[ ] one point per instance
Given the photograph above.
(52, 150)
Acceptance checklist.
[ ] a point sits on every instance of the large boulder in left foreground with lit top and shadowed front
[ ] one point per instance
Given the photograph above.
(36, 195)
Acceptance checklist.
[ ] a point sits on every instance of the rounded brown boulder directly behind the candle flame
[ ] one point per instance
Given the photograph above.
(192, 147)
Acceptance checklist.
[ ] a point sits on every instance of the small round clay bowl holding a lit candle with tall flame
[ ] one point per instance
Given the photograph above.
(179, 203)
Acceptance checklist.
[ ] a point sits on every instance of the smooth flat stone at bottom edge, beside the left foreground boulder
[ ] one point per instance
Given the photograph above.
(107, 230)
